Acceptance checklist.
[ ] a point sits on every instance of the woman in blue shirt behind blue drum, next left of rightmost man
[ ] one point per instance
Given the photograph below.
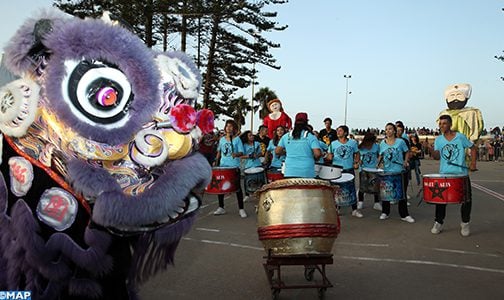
(395, 155)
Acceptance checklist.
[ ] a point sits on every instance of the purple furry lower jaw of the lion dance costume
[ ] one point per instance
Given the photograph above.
(165, 201)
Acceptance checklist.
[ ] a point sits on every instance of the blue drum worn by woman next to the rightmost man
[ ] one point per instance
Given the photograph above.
(392, 186)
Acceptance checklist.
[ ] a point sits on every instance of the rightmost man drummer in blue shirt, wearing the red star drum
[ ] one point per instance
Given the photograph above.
(449, 148)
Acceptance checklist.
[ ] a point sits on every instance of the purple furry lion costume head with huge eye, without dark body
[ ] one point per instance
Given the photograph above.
(117, 117)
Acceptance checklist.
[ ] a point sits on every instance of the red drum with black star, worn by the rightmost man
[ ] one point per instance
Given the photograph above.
(445, 188)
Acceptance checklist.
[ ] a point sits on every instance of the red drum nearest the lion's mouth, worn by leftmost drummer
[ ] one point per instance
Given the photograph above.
(224, 180)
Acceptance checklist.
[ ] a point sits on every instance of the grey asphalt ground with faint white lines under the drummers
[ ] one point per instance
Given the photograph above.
(221, 258)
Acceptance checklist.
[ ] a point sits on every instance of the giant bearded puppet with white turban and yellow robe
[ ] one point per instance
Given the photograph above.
(466, 120)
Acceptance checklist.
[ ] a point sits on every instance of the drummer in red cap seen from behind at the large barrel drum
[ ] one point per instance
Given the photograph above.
(301, 149)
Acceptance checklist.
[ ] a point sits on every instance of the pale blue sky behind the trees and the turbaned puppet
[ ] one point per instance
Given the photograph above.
(401, 56)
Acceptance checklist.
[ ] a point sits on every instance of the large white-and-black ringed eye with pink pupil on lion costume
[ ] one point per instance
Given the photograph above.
(97, 92)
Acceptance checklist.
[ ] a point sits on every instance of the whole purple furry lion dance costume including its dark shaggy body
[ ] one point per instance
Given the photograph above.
(99, 170)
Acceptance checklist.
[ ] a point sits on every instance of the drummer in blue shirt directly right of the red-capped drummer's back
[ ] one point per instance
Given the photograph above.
(344, 152)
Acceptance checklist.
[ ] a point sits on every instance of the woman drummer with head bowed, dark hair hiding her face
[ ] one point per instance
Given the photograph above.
(369, 152)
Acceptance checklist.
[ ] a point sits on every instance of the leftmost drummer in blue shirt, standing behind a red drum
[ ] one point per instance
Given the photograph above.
(228, 155)
